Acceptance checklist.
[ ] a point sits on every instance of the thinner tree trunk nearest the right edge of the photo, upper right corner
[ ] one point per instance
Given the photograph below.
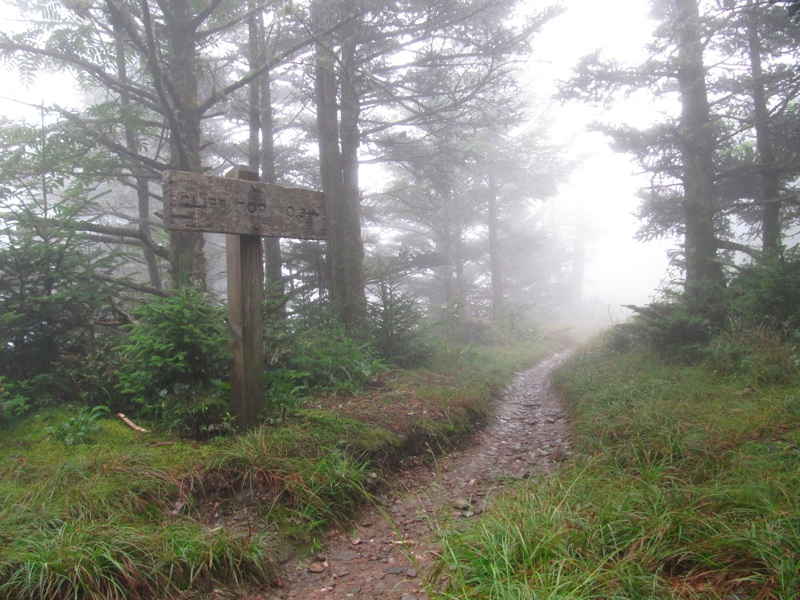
(769, 185)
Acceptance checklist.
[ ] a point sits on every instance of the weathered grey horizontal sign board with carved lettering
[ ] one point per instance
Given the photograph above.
(194, 202)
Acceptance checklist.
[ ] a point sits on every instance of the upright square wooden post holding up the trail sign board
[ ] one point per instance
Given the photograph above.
(245, 293)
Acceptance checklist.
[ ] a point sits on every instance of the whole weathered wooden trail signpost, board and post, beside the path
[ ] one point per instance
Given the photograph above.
(245, 209)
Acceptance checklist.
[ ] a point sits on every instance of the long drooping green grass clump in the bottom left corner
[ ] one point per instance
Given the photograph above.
(86, 558)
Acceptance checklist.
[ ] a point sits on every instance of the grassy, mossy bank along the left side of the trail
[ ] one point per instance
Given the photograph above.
(129, 514)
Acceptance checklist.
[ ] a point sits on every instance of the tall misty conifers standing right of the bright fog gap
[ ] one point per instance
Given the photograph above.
(722, 162)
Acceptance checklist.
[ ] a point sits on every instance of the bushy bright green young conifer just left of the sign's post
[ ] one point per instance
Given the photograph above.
(174, 359)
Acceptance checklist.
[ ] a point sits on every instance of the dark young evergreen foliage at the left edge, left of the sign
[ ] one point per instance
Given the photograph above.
(54, 277)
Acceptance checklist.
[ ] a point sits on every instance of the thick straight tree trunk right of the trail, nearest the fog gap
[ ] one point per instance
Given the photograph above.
(704, 274)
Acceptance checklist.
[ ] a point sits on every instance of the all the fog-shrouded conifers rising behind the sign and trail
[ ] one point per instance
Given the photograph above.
(413, 119)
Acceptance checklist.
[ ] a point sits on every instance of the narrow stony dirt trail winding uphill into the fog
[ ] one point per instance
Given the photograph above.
(529, 434)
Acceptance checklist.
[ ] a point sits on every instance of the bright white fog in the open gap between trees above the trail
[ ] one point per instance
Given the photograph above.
(620, 270)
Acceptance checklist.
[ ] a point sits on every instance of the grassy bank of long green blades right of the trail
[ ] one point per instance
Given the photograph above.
(685, 484)
